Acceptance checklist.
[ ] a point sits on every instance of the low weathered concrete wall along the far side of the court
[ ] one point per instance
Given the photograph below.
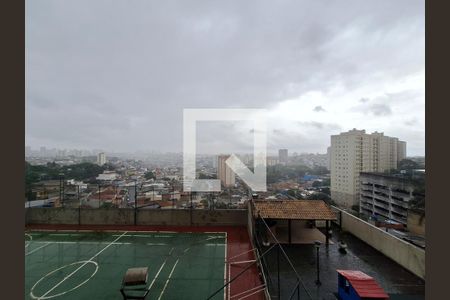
(125, 216)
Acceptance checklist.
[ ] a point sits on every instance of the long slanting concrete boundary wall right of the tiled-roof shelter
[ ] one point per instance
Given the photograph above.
(407, 255)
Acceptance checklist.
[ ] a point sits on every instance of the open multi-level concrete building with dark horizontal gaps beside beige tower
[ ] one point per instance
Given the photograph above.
(385, 196)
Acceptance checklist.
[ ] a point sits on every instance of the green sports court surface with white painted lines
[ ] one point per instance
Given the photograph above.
(91, 265)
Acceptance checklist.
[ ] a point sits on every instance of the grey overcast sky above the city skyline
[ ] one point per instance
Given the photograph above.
(116, 75)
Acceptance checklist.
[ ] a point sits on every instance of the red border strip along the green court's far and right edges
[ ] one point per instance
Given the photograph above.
(249, 285)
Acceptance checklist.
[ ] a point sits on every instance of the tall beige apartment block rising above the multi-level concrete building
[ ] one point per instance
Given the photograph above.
(356, 151)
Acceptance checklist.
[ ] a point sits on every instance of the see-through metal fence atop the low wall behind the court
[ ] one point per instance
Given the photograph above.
(123, 196)
